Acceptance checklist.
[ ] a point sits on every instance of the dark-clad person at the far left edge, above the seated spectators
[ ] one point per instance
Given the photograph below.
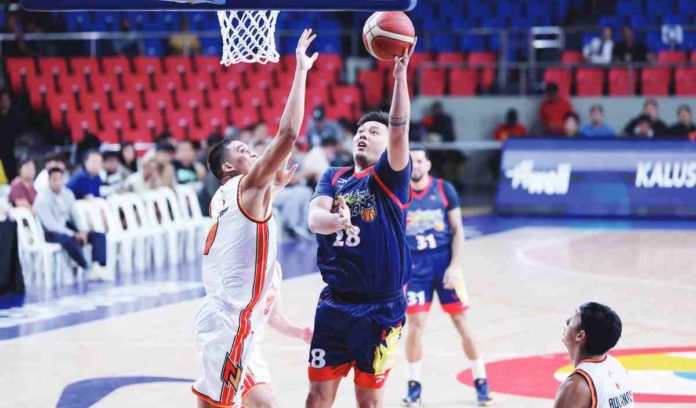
(12, 125)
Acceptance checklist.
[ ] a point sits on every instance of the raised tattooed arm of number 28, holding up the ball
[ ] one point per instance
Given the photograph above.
(400, 113)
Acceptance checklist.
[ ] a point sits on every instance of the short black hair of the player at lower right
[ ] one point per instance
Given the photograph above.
(602, 327)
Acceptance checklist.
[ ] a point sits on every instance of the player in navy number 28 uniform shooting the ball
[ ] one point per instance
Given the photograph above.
(358, 214)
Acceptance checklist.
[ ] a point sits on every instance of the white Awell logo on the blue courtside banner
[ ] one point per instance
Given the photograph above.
(548, 182)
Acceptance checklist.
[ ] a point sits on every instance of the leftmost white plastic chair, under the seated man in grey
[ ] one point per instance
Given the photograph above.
(37, 256)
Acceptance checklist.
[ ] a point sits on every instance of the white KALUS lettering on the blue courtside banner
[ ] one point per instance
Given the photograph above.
(666, 175)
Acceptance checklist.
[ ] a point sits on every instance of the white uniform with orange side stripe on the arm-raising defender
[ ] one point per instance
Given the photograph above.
(238, 264)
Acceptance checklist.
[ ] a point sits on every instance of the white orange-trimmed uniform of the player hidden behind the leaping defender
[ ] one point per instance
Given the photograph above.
(257, 370)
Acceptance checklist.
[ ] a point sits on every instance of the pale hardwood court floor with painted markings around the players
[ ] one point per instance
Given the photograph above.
(523, 284)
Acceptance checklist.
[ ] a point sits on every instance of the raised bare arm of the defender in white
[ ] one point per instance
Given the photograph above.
(259, 178)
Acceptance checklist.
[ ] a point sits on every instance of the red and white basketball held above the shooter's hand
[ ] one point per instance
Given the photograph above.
(388, 34)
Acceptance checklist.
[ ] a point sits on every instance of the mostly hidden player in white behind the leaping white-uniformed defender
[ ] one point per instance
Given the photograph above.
(256, 389)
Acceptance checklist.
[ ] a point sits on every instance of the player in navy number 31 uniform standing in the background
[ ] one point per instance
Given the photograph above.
(435, 235)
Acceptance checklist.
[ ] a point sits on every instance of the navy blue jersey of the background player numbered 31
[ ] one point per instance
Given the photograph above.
(427, 226)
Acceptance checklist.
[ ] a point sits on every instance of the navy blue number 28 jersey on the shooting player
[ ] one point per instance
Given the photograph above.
(375, 263)
